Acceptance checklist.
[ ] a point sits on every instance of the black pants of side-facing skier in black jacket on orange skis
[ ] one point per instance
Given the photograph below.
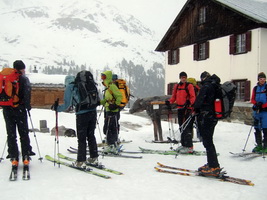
(206, 126)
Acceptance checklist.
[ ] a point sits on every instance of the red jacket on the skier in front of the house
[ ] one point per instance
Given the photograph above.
(183, 92)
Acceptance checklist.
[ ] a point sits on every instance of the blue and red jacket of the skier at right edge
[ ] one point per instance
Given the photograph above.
(259, 94)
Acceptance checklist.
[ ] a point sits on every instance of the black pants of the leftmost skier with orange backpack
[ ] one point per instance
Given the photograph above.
(17, 118)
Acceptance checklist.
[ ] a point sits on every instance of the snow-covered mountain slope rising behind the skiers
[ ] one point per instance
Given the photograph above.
(89, 33)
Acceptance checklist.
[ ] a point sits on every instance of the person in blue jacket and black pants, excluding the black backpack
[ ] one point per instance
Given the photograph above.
(85, 121)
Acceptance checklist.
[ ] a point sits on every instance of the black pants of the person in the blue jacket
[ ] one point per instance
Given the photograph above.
(85, 125)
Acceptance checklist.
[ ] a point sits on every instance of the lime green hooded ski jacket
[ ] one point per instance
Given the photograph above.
(112, 94)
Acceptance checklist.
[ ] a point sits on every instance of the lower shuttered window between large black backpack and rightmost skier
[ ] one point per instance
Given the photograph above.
(243, 90)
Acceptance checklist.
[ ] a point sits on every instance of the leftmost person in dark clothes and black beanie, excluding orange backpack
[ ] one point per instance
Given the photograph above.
(16, 118)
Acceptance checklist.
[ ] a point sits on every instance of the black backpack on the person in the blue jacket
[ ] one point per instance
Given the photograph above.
(87, 91)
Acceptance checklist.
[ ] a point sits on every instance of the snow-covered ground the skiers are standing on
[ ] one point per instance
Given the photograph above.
(140, 180)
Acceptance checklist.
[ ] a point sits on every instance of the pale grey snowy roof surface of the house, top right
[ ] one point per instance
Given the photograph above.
(256, 9)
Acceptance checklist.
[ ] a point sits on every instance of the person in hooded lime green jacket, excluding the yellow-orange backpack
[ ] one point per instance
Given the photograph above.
(111, 102)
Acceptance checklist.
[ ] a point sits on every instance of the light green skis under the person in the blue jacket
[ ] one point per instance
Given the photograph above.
(88, 169)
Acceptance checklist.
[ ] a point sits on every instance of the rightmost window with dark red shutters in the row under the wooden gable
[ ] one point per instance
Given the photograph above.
(240, 43)
